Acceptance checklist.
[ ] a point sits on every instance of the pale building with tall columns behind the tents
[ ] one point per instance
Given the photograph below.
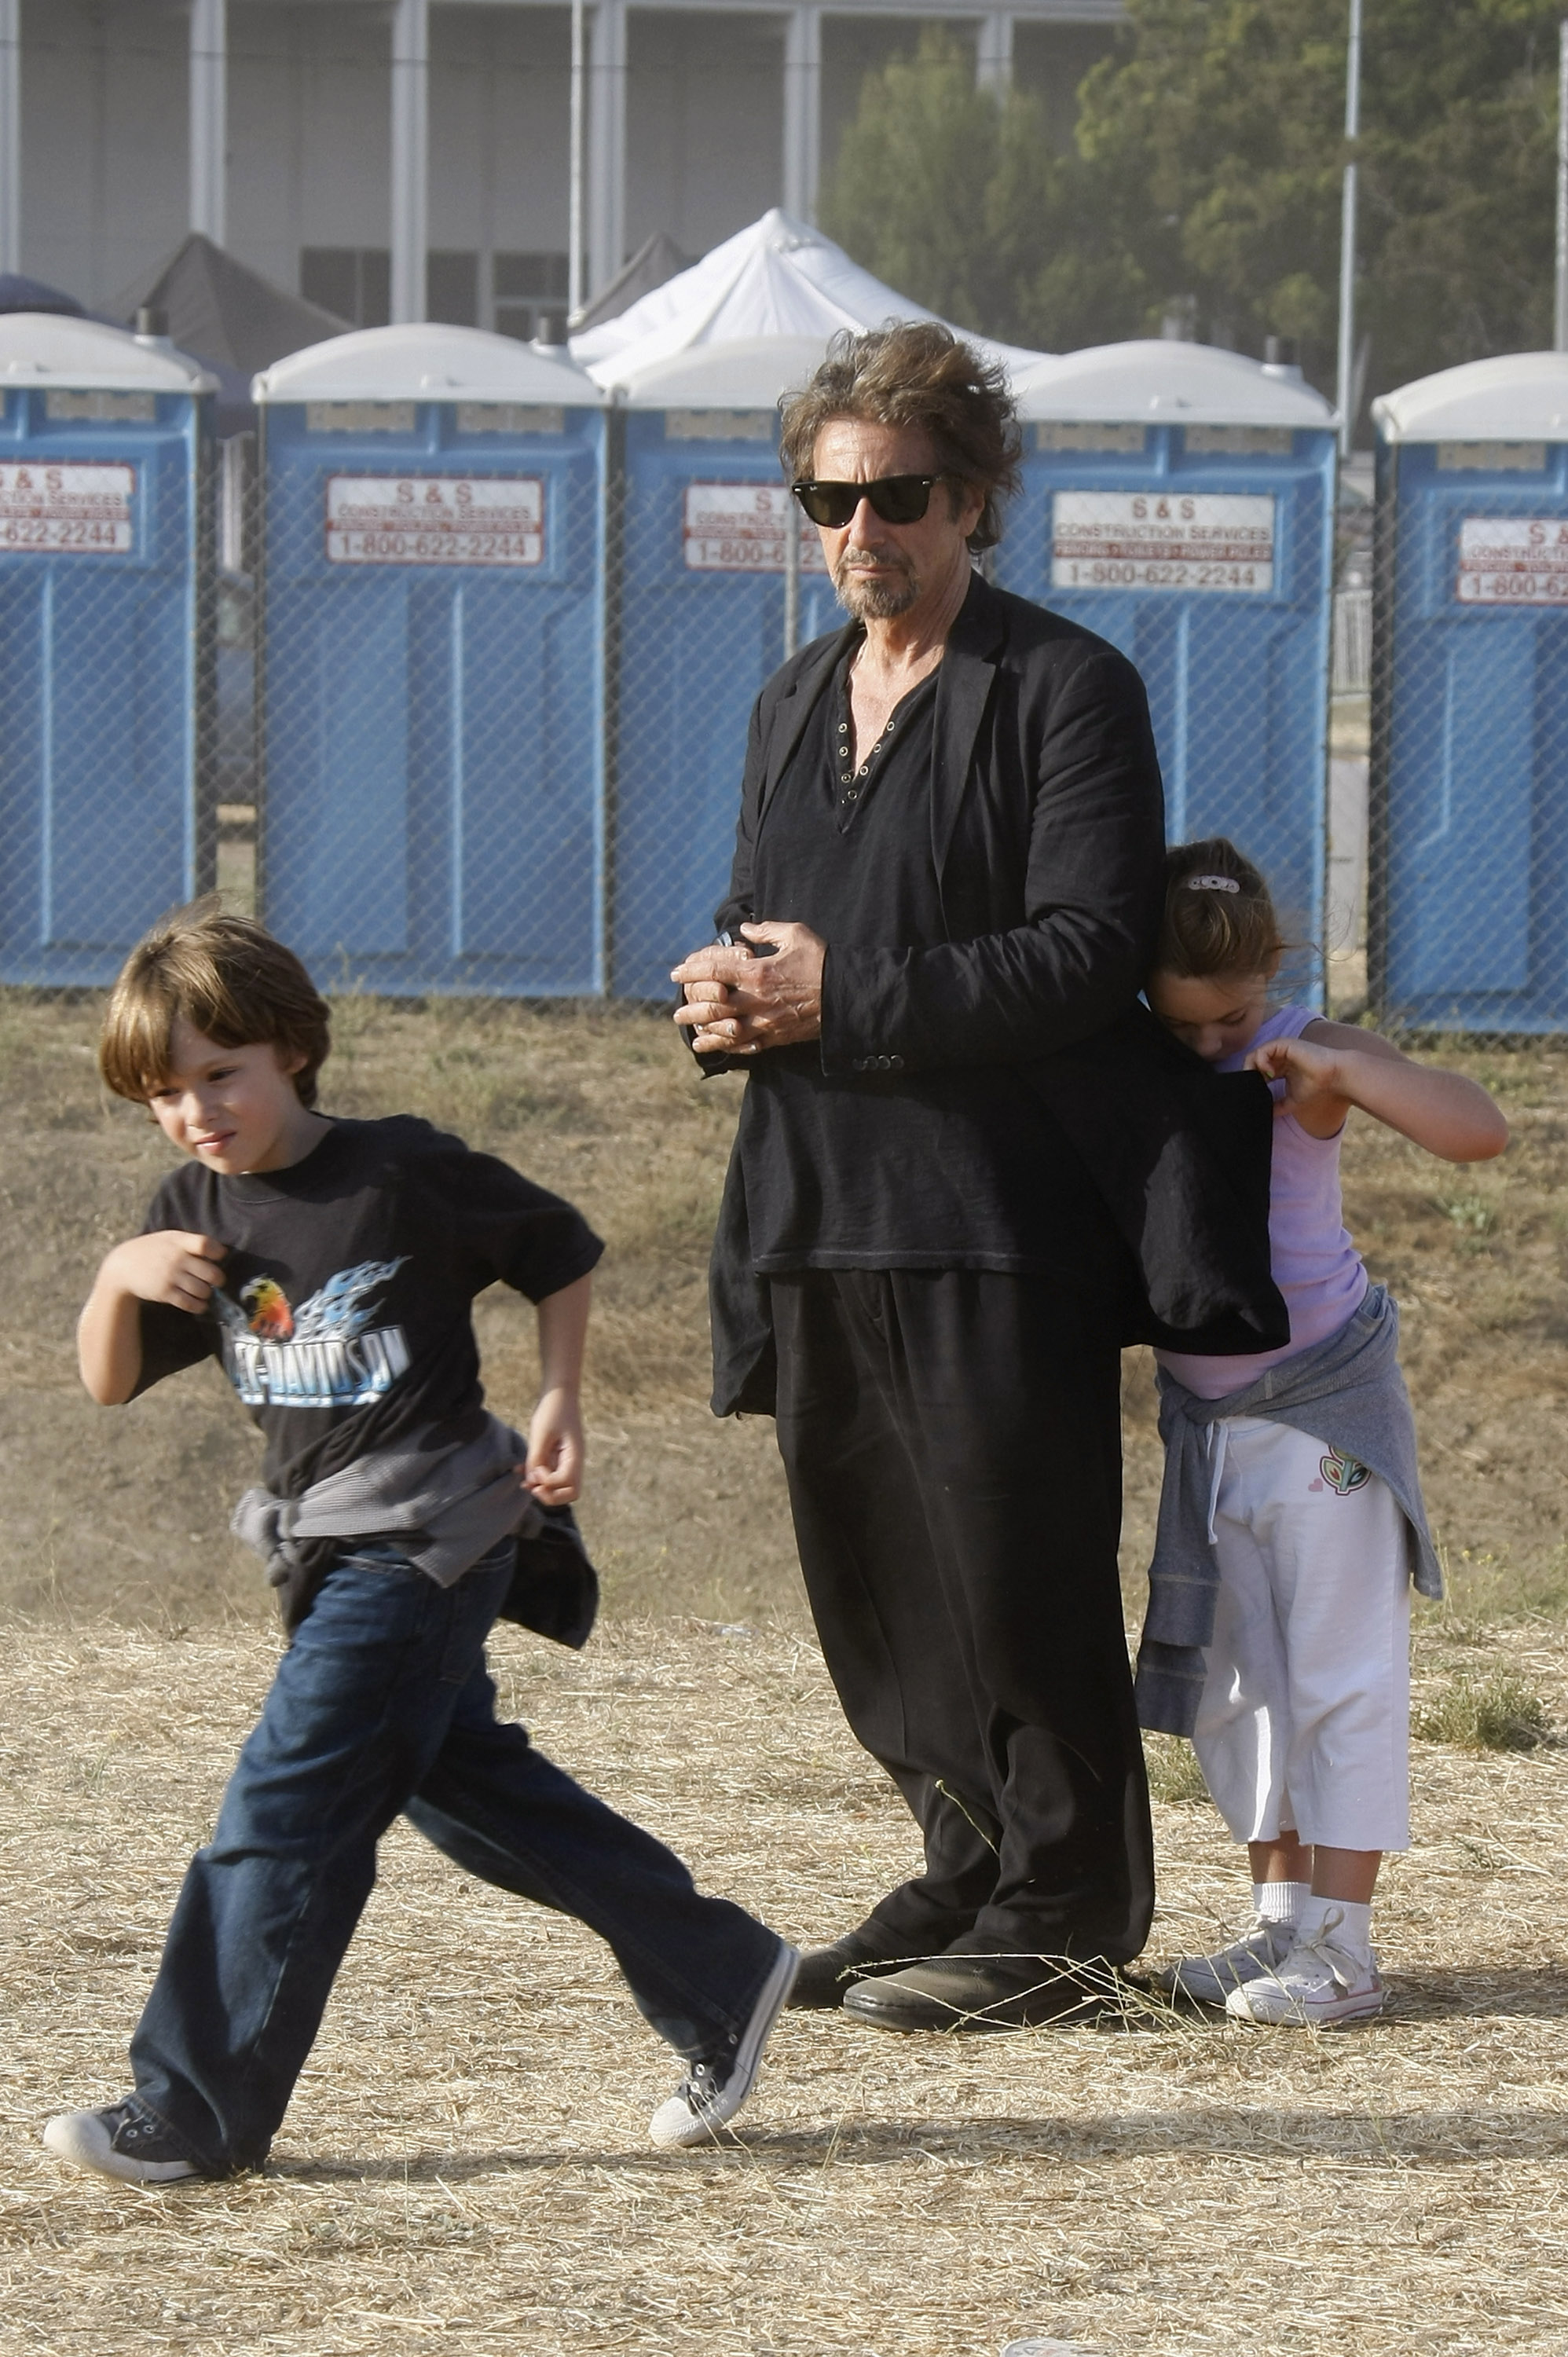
(407, 159)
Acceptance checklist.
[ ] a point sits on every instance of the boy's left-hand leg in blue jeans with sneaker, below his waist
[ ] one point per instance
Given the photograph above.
(355, 1717)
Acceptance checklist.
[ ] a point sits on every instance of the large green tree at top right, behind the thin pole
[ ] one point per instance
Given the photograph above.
(1227, 117)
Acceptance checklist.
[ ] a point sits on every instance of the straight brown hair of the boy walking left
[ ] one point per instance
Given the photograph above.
(230, 982)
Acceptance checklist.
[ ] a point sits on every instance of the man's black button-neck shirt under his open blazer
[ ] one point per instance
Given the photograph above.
(956, 1168)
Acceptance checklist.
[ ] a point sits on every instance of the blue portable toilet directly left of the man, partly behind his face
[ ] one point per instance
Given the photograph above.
(718, 579)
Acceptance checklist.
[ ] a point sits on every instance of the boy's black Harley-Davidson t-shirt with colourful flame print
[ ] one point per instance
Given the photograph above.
(345, 1309)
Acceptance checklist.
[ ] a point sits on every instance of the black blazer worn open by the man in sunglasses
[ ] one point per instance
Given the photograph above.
(1048, 833)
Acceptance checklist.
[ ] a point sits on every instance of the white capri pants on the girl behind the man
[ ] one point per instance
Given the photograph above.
(1305, 1715)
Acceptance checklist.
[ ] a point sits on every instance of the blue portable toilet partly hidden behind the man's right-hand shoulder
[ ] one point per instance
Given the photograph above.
(1180, 501)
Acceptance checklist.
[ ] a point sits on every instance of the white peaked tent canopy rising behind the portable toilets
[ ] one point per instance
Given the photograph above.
(775, 279)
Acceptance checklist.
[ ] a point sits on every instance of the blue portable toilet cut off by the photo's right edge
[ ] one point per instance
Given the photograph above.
(1468, 890)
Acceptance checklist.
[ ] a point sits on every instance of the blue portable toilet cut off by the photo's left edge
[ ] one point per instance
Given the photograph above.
(105, 642)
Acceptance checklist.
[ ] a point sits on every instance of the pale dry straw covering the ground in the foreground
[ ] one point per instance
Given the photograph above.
(466, 2165)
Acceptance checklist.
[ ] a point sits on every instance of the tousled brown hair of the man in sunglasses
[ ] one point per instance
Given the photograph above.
(916, 374)
